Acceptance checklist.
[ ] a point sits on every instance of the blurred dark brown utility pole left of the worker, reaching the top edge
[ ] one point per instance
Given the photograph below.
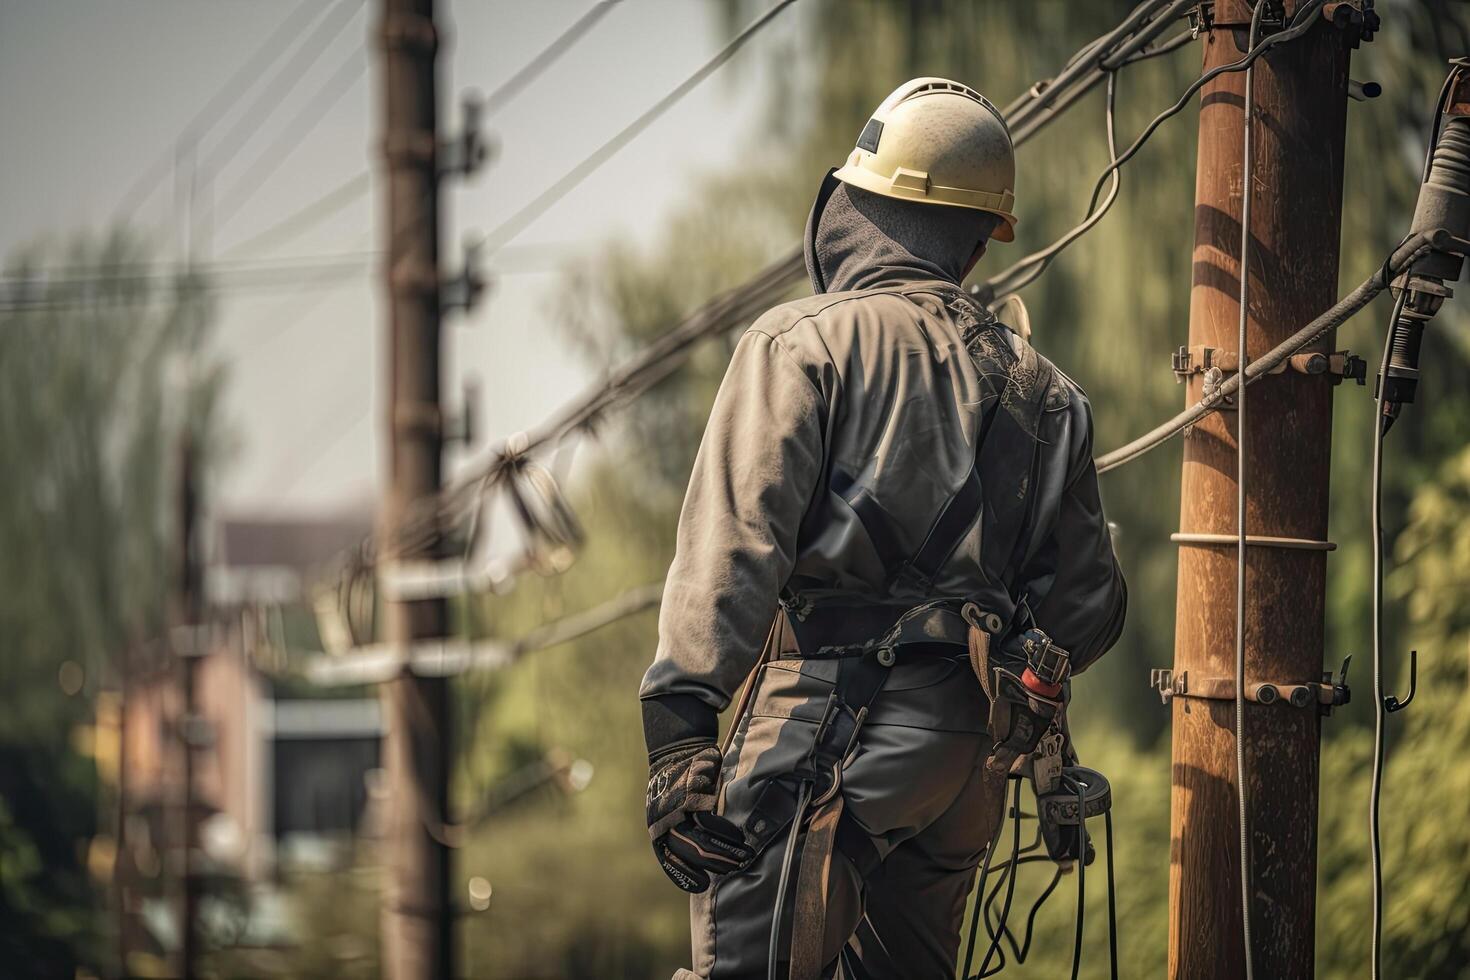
(418, 913)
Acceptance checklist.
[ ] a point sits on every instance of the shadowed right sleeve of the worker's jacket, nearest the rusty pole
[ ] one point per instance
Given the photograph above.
(1074, 583)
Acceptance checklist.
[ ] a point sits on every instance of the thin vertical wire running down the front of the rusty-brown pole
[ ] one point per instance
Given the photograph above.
(1247, 187)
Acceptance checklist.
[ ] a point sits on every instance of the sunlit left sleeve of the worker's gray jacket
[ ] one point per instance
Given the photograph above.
(753, 480)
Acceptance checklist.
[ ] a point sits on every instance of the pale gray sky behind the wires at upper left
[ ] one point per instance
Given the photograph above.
(95, 92)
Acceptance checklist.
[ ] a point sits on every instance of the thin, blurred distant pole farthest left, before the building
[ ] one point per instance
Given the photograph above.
(189, 647)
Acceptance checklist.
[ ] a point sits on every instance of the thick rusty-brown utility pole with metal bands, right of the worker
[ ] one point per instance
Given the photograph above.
(1297, 211)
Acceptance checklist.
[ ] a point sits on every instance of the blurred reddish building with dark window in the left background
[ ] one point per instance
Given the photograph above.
(284, 769)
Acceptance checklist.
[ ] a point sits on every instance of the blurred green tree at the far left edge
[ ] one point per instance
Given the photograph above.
(99, 371)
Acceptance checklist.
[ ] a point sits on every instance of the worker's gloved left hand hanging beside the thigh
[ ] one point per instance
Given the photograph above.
(689, 838)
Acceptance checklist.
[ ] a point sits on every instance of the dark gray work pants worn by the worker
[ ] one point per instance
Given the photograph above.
(917, 788)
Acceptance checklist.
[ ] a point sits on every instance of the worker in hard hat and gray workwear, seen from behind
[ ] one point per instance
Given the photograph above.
(894, 494)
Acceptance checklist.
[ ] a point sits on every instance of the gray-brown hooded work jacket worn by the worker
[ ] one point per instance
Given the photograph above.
(846, 424)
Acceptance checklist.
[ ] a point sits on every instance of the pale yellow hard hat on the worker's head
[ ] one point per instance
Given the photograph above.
(939, 143)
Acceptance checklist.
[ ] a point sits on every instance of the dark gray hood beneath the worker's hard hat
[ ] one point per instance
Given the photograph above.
(858, 240)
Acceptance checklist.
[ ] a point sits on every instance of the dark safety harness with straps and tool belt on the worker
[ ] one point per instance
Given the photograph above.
(868, 638)
